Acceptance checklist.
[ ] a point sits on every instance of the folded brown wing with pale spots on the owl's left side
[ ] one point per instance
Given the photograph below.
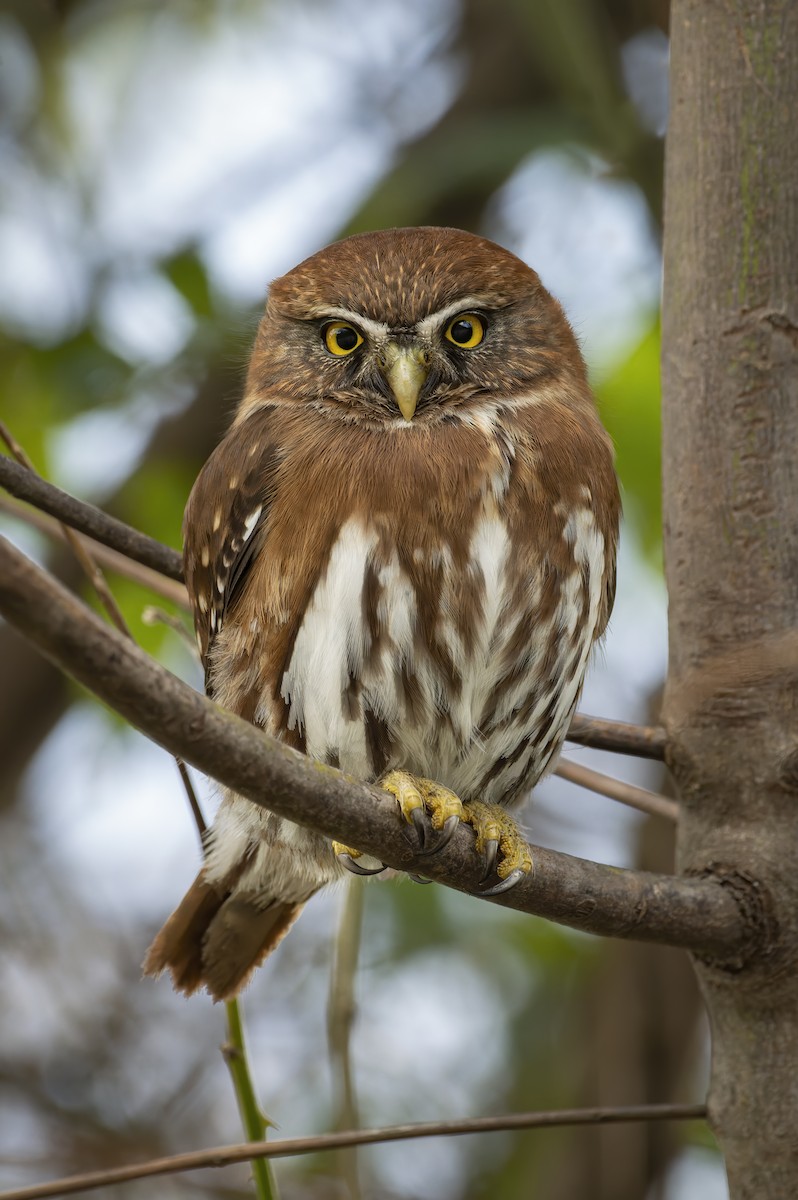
(225, 525)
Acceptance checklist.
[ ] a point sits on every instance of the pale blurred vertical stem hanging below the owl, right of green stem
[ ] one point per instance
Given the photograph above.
(341, 1015)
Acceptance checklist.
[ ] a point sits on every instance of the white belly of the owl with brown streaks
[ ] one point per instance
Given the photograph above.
(452, 659)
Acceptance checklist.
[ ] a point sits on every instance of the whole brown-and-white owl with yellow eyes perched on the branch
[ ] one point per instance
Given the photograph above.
(399, 560)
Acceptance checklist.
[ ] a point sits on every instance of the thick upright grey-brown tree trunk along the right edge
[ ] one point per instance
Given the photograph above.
(731, 541)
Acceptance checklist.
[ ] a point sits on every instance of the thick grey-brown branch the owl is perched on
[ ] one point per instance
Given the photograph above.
(699, 914)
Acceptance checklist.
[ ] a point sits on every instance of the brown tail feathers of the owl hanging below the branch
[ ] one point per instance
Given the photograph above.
(215, 940)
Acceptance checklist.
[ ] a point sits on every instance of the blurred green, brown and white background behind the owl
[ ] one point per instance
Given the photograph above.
(159, 166)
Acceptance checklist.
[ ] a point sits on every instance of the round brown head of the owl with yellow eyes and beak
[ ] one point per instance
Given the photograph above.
(410, 327)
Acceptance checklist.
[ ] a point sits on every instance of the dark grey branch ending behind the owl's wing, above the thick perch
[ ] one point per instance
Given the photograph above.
(89, 520)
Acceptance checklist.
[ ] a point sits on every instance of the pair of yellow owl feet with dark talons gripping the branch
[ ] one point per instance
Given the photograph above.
(499, 837)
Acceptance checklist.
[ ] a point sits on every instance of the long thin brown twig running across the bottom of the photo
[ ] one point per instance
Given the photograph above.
(225, 1156)
